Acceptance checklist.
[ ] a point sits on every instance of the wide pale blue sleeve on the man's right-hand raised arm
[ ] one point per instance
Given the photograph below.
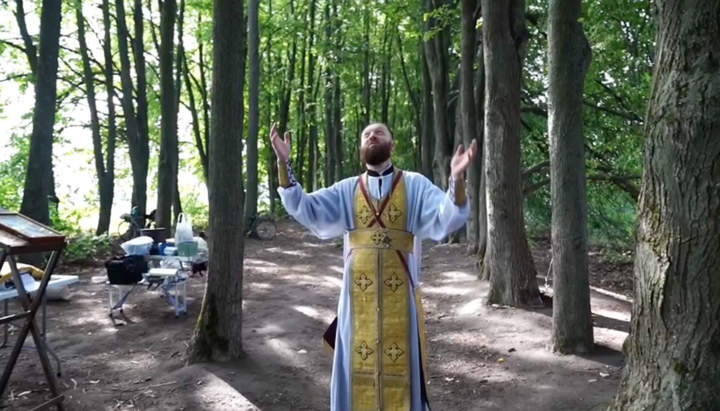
(439, 213)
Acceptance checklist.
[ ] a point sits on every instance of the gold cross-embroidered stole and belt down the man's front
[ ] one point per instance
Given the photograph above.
(381, 291)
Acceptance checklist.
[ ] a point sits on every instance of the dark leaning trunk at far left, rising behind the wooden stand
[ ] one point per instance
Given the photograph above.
(37, 184)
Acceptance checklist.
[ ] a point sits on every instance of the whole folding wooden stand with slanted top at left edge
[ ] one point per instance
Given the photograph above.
(20, 235)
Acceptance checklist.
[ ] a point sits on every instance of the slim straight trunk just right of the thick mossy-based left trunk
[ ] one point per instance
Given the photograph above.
(251, 198)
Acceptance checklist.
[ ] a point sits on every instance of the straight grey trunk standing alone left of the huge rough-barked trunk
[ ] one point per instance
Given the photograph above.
(569, 58)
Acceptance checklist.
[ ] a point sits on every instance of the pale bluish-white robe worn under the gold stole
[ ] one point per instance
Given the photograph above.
(329, 213)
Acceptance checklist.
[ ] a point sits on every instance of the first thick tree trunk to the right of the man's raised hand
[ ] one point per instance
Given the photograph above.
(511, 269)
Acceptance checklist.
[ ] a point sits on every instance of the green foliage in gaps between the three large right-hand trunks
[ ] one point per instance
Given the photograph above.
(621, 36)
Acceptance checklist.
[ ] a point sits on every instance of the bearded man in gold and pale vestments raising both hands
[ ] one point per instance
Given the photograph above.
(378, 337)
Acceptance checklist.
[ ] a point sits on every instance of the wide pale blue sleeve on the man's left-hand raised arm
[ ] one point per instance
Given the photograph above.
(321, 212)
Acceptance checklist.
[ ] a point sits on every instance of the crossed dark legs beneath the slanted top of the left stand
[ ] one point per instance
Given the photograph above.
(30, 309)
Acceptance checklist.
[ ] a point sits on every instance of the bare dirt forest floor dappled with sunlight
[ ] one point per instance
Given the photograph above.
(481, 358)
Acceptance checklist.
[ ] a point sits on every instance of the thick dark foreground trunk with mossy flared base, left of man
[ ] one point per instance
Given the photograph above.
(218, 332)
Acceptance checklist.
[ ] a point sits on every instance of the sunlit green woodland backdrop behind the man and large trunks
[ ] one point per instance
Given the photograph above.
(326, 69)
